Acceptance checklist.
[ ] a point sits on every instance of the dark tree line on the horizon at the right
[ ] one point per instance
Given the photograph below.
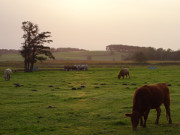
(142, 54)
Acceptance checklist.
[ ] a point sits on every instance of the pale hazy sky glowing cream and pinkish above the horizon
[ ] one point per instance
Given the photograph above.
(93, 24)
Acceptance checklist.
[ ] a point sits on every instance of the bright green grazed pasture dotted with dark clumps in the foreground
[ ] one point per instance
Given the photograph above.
(45, 103)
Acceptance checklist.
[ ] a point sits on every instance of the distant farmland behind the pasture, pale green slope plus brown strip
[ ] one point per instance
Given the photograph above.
(99, 59)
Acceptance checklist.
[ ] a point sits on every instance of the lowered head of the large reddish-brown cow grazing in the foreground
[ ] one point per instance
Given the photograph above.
(134, 119)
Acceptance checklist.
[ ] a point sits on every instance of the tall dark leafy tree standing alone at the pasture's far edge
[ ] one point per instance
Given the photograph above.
(33, 48)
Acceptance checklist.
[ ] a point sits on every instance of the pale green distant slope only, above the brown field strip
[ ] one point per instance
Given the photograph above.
(95, 55)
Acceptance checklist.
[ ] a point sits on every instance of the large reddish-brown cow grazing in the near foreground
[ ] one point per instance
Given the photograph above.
(149, 97)
